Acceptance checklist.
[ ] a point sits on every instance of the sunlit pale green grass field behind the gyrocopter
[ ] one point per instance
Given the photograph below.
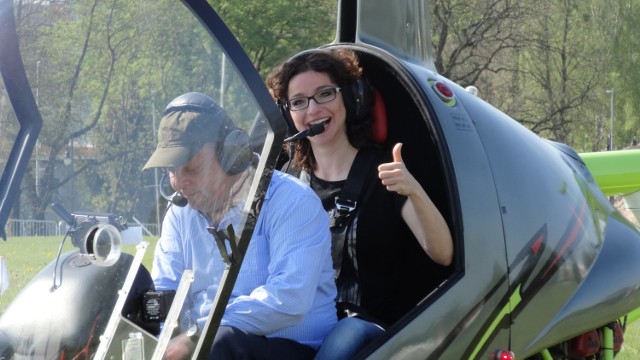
(25, 257)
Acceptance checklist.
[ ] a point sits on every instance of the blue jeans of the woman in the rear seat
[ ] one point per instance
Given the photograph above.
(347, 338)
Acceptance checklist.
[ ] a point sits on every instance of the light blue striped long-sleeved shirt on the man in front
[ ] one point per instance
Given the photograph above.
(285, 287)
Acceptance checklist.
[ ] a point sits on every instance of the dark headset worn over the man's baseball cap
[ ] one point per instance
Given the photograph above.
(233, 147)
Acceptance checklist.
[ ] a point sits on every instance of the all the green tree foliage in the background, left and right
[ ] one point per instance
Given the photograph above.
(117, 64)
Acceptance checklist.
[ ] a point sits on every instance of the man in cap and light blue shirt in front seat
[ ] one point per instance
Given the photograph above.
(282, 305)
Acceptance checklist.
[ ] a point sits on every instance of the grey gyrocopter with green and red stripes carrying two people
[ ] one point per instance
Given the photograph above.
(545, 267)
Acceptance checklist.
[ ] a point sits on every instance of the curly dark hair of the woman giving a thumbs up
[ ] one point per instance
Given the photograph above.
(342, 66)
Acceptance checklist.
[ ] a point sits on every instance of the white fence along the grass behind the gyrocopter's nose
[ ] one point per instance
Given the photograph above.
(16, 228)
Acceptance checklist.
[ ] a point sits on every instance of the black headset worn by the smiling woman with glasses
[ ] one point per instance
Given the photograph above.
(358, 96)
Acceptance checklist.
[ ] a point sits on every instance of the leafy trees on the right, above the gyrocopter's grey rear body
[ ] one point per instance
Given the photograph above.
(548, 64)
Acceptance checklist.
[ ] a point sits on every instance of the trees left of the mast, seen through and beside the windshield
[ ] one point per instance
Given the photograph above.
(118, 66)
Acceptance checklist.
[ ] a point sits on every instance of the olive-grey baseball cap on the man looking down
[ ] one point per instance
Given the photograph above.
(190, 121)
